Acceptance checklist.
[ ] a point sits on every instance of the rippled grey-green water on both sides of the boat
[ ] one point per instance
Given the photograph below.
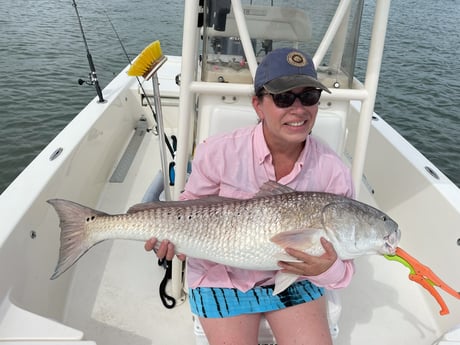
(42, 55)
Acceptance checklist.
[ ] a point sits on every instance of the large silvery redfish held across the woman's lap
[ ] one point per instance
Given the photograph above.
(249, 234)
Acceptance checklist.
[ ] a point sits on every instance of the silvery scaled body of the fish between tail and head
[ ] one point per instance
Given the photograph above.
(234, 233)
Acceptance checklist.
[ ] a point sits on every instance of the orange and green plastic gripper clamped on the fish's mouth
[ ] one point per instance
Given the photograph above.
(424, 276)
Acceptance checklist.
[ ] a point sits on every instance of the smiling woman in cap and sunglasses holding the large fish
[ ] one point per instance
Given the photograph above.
(230, 301)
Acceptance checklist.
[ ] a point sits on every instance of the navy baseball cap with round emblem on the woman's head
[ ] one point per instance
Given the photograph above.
(285, 69)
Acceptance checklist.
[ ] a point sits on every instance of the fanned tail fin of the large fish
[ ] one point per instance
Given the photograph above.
(74, 240)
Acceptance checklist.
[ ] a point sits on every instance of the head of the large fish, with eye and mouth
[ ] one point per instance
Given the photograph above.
(357, 229)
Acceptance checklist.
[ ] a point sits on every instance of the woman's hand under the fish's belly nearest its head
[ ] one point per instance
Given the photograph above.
(310, 265)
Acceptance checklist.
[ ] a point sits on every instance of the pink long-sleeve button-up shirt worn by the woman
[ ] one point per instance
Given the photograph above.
(236, 165)
